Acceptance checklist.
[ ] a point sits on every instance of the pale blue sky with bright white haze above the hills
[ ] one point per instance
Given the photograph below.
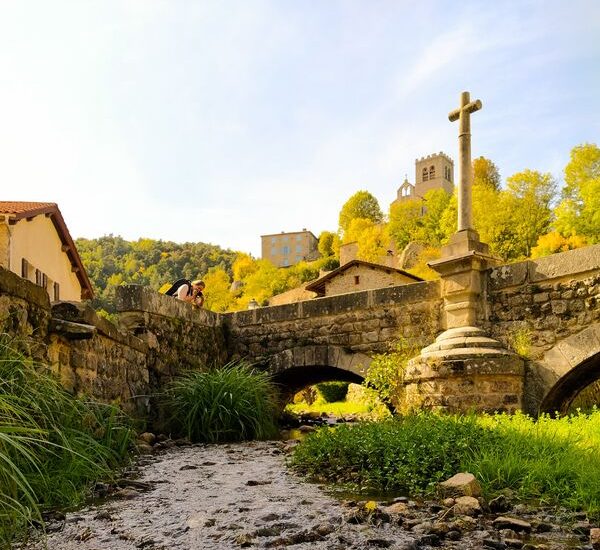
(219, 121)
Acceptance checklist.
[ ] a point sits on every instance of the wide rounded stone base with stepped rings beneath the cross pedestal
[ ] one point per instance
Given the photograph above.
(464, 370)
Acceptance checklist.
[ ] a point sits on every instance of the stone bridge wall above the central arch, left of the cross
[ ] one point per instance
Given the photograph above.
(361, 322)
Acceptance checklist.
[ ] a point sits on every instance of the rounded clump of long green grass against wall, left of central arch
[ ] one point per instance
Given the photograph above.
(231, 403)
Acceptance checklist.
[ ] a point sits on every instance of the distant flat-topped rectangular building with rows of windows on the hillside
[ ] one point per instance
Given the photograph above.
(286, 249)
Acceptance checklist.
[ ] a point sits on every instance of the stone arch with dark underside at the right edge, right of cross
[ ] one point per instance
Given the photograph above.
(569, 367)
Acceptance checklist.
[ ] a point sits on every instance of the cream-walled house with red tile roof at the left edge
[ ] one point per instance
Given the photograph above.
(35, 244)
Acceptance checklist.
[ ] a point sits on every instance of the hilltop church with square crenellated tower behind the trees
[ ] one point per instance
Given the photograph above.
(434, 171)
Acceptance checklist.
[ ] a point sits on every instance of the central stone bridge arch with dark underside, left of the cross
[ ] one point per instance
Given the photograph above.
(303, 366)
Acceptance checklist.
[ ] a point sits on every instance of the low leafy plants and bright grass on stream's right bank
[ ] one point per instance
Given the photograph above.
(554, 461)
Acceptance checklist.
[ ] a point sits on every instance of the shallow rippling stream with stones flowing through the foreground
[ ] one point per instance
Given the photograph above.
(220, 497)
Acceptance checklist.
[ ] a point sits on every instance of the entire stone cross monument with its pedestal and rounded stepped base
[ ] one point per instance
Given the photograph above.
(464, 369)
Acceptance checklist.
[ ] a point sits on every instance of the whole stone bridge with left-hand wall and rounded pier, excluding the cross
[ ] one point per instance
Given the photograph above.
(547, 309)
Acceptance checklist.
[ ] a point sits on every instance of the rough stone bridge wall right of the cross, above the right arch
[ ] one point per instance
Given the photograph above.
(535, 305)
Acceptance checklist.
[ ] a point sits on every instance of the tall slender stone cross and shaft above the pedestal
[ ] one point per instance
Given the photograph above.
(463, 115)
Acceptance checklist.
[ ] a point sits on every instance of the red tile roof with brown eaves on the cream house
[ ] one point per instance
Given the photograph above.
(17, 210)
